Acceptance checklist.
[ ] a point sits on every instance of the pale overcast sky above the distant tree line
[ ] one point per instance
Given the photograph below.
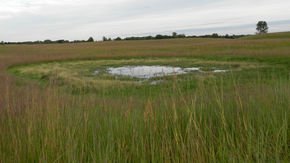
(29, 20)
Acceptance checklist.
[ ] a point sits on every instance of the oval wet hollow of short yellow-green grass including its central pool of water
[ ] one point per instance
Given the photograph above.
(96, 73)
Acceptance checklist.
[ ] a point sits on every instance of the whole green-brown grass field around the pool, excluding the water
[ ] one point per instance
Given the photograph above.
(52, 109)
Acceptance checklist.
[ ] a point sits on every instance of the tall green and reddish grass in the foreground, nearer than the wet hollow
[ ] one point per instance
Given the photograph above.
(221, 120)
